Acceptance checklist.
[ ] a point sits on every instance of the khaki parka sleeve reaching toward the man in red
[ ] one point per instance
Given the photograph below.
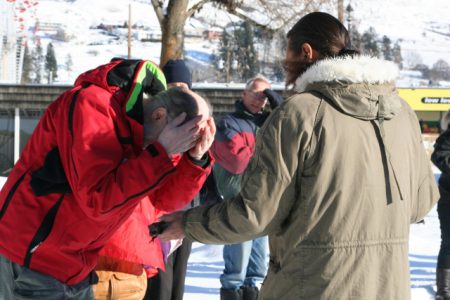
(268, 185)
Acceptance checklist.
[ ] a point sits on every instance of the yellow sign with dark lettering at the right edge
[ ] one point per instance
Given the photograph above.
(426, 99)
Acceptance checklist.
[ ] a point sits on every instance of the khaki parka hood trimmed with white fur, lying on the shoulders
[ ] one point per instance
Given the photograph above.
(356, 85)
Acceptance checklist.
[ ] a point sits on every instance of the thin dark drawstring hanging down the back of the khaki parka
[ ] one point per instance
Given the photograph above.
(385, 156)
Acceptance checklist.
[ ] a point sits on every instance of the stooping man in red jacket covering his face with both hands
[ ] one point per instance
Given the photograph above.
(99, 149)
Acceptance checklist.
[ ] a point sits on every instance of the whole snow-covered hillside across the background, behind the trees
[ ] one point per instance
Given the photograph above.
(422, 27)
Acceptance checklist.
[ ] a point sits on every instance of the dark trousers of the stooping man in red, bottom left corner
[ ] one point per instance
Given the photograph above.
(17, 282)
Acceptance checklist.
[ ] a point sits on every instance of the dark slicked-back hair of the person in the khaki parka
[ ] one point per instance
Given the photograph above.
(324, 33)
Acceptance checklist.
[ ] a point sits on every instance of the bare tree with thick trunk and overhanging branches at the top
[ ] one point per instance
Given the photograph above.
(270, 15)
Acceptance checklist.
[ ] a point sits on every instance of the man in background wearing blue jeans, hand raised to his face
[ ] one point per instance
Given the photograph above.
(245, 263)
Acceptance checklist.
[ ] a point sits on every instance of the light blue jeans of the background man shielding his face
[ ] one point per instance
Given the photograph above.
(245, 263)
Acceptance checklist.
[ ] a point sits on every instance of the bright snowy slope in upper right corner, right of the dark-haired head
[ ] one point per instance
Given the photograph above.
(422, 26)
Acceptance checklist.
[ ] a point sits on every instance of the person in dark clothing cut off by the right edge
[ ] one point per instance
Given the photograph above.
(441, 158)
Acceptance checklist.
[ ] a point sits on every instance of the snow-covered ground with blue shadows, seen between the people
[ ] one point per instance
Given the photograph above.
(206, 264)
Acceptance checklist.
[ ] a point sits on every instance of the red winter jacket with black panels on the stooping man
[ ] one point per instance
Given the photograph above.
(83, 172)
